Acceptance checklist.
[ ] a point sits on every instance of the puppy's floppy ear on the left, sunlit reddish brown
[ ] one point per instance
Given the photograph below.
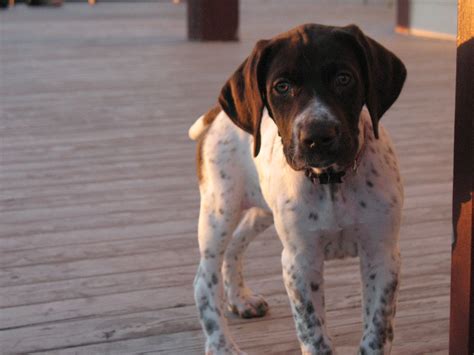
(243, 96)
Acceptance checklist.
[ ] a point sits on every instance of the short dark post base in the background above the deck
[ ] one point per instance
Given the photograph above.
(213, 20)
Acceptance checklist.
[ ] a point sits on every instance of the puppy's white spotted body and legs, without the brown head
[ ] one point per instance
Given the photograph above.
(241, 196)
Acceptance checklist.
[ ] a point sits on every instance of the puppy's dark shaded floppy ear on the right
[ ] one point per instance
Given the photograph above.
(384, 74)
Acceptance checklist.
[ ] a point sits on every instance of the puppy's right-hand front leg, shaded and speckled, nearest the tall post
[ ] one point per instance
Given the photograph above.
(380, 267)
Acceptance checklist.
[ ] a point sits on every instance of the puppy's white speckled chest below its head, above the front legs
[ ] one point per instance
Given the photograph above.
(335, 216)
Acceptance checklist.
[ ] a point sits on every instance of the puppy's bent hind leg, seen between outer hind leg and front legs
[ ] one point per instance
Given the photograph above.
(241, 299)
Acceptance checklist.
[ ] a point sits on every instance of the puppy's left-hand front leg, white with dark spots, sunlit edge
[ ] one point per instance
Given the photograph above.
(302, 264)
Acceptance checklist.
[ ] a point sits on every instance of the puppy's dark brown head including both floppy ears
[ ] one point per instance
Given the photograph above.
(314, 81)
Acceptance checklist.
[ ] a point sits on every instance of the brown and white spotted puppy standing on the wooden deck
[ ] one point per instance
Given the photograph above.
(292, 145)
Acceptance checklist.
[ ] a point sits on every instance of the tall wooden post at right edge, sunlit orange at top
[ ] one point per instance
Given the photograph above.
(461, 339)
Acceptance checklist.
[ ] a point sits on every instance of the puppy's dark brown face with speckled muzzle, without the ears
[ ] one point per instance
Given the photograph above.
(315, 92)
